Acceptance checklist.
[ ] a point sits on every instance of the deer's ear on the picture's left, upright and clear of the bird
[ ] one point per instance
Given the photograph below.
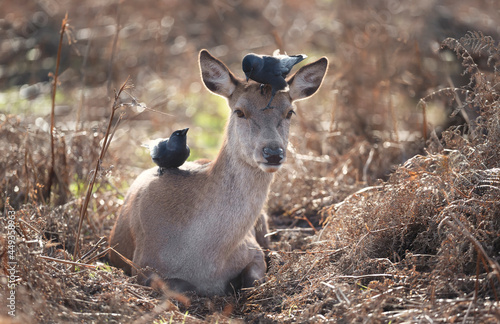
(216, 76)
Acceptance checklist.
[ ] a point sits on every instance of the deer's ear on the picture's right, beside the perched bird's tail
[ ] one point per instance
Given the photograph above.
(308, 79)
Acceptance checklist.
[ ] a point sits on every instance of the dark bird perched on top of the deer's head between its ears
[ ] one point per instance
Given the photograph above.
(270, 70)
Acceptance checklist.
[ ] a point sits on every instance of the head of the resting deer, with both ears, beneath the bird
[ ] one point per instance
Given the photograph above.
(255, 137)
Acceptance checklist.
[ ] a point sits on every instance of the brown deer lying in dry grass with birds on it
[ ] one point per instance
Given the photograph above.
(199, 226)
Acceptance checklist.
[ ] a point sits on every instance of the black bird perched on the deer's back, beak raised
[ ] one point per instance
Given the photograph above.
(171, 152)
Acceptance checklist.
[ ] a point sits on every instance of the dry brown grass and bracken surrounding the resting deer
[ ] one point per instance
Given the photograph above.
(383, 213)
